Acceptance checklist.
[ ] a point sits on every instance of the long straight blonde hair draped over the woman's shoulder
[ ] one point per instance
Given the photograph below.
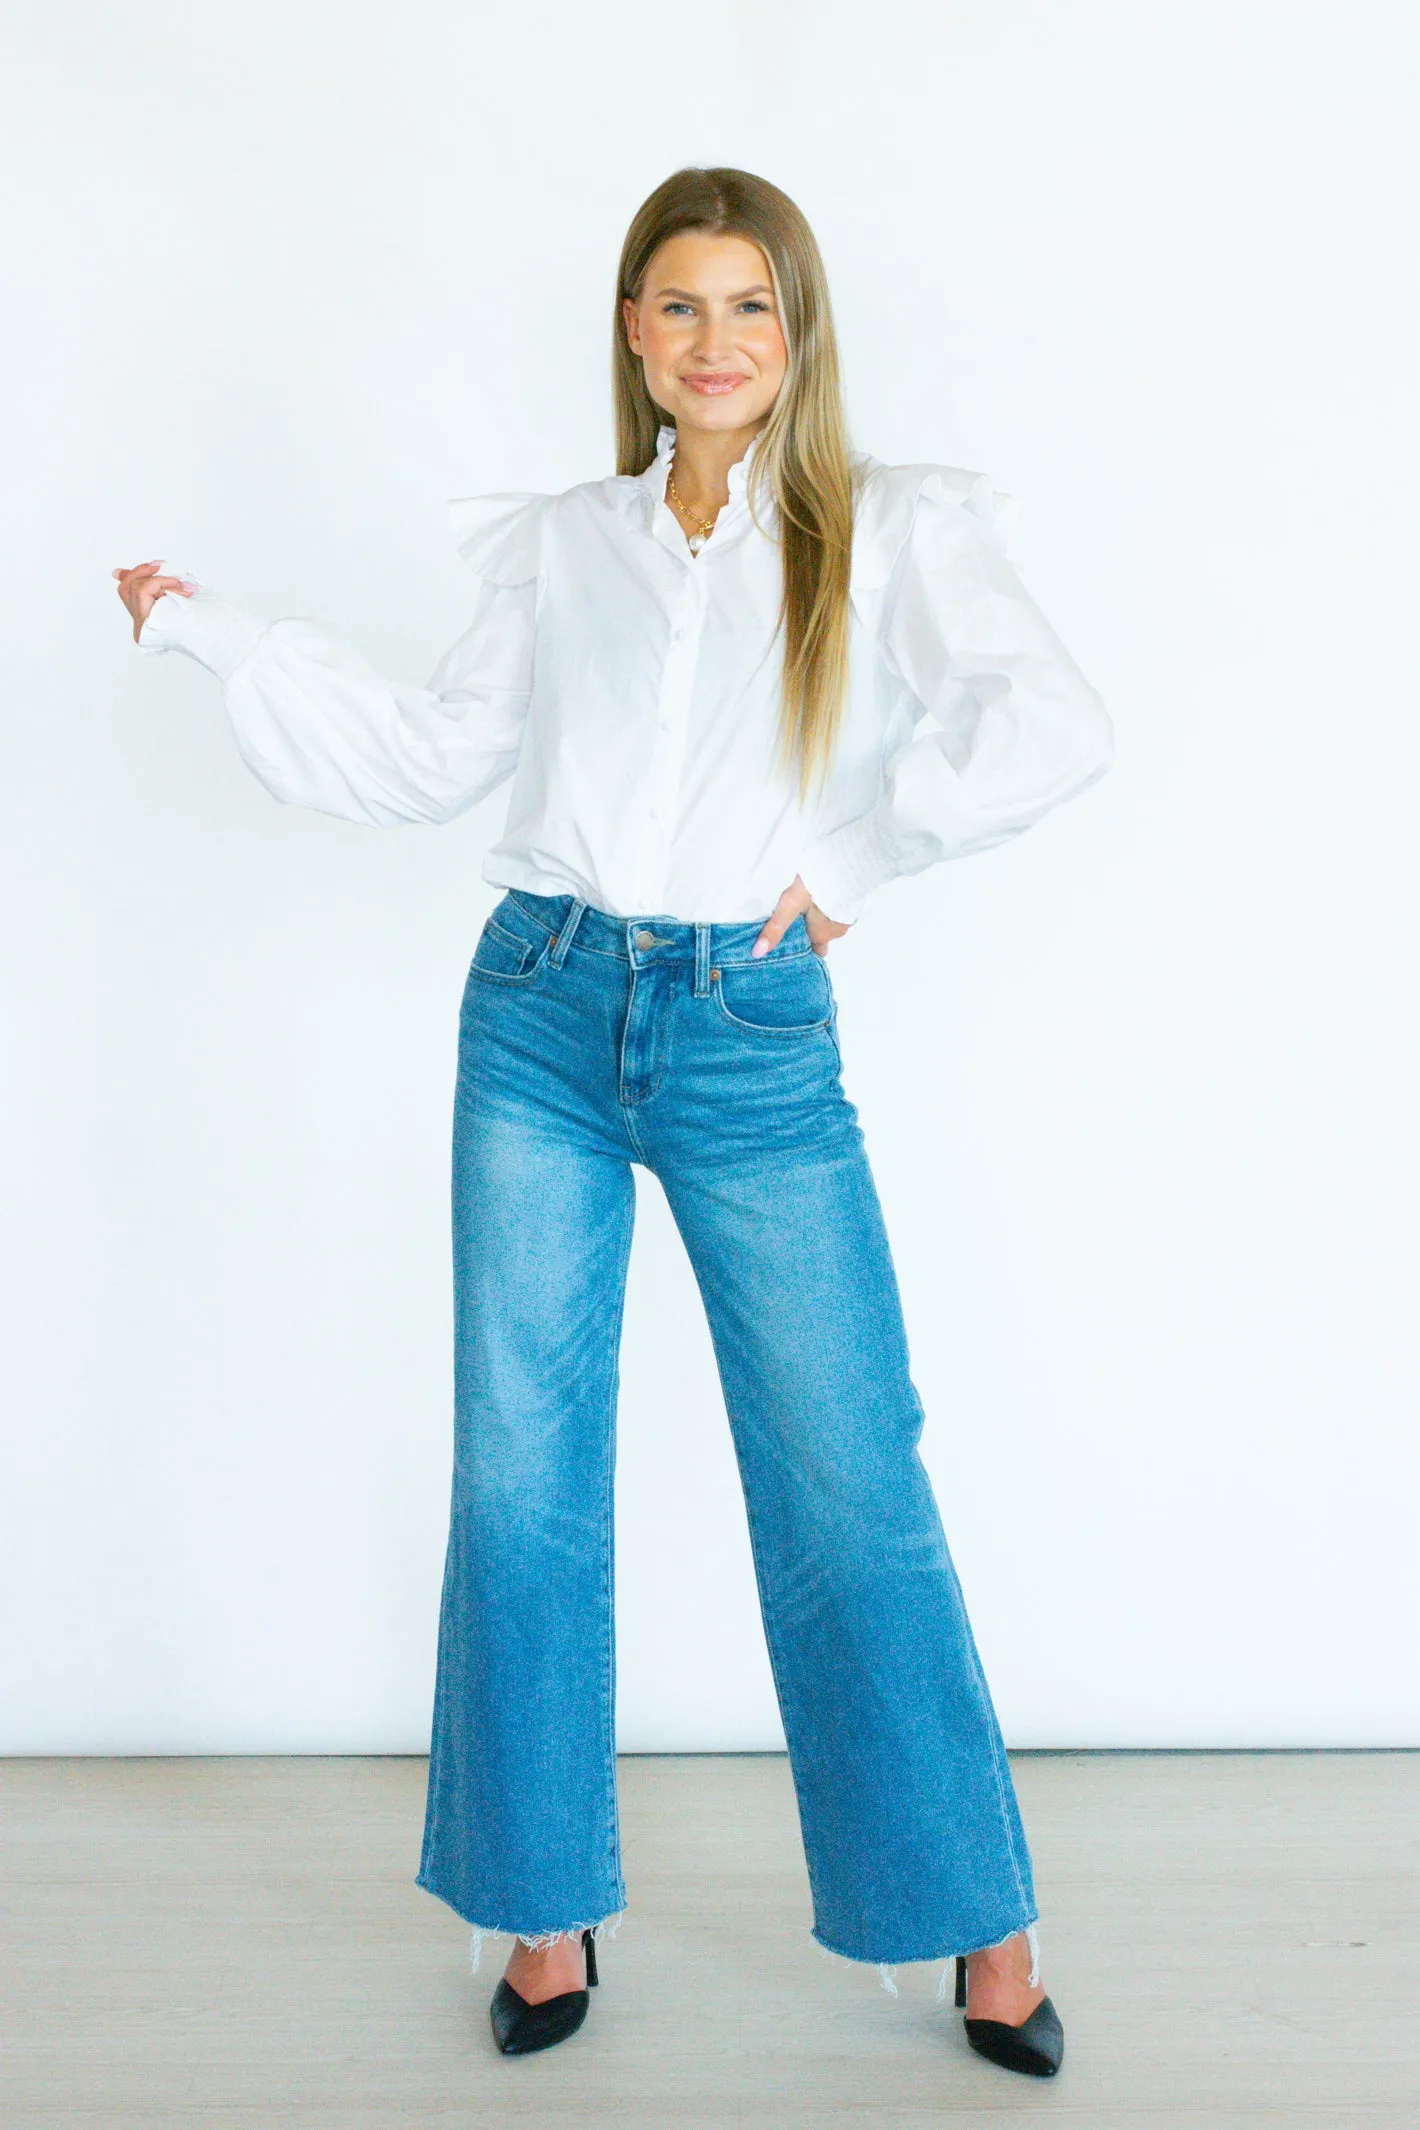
(804, 455)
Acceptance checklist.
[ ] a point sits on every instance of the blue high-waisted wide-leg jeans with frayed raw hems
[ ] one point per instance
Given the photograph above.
(591, 1043)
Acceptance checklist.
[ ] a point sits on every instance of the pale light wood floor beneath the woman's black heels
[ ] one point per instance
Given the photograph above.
(1232, 1941)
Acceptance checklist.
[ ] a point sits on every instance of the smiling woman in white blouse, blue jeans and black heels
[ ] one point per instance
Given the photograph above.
(704, 678)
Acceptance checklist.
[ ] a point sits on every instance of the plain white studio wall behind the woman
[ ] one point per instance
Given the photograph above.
(1140, 1089)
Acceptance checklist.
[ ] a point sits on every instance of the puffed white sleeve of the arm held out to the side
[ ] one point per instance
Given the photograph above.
(323, 730)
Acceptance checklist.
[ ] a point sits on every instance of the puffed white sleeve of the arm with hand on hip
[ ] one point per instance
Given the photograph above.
(1017, 725)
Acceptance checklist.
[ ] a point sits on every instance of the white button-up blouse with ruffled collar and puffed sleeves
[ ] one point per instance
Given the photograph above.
(631, 695)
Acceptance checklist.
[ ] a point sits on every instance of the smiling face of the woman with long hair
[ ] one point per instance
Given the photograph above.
(708, 331)
